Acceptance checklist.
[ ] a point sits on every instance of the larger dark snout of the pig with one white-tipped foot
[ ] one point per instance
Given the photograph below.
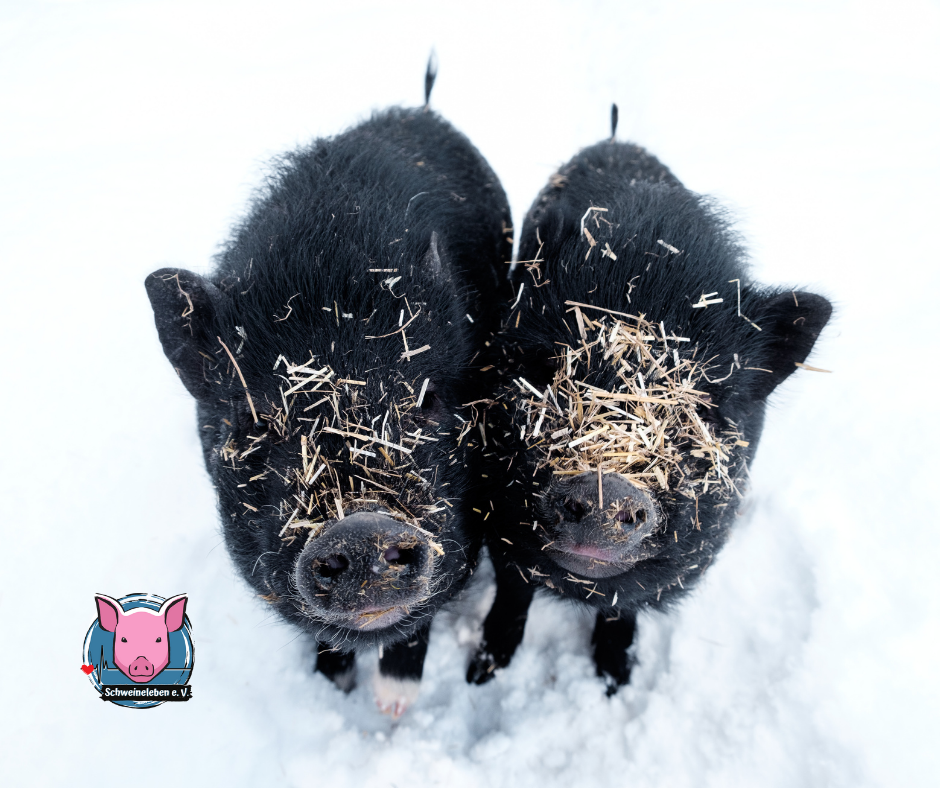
(365, 573)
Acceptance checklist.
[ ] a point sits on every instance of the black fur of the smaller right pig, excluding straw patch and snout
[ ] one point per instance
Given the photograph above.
(648, 211)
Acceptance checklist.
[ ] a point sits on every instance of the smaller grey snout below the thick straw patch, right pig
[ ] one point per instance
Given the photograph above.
(599, 525)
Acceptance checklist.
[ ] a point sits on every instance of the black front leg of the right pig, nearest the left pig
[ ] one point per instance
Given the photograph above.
(504, 624)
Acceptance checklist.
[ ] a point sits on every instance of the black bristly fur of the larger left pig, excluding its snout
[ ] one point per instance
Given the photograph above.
(403, 190)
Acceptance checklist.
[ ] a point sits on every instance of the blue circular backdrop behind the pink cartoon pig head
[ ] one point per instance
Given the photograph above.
(99, 651)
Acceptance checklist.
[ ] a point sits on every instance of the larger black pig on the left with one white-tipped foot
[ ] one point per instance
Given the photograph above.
(328, 354)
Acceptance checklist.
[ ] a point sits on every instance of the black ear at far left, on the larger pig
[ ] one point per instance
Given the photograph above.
(184, 311)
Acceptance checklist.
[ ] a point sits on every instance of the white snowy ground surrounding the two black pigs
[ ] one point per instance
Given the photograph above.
(131, 135)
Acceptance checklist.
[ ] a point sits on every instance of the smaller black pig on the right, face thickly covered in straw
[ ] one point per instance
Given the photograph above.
(630, 384)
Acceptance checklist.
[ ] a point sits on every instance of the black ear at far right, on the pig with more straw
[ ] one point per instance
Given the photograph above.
(790, 323)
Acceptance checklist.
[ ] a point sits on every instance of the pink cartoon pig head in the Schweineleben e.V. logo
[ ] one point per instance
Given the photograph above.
(141, 637)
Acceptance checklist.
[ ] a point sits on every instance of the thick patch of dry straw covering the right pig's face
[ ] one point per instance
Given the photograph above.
(647, 429)
